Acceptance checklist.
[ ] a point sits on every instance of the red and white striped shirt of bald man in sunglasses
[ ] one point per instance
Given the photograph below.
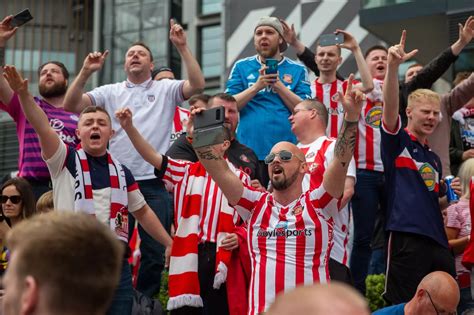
(289, 245)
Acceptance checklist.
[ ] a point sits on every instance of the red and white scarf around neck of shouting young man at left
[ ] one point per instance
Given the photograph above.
(84, 199)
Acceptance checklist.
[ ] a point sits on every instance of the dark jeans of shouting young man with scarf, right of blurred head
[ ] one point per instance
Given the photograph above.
(123, 298)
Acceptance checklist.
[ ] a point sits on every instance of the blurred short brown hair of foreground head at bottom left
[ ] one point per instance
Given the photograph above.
(73, 256)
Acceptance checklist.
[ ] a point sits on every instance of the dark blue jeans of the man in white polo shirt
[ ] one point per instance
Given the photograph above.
(152, 252)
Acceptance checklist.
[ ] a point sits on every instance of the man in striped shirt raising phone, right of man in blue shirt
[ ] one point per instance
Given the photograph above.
(326, 86)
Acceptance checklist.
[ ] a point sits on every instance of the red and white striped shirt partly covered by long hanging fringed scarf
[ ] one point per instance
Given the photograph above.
(186, 181)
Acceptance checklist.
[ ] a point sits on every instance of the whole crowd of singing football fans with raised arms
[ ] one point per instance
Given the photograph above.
(260, 221)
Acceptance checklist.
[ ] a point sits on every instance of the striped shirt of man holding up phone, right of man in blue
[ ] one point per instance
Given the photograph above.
(327, 94)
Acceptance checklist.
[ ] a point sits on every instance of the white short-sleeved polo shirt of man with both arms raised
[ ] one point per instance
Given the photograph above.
(153, 105)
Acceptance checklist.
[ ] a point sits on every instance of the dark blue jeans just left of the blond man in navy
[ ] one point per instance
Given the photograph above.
(367, 200)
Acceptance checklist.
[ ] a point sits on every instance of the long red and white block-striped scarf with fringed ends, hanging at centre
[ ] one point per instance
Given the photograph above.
(183, 273)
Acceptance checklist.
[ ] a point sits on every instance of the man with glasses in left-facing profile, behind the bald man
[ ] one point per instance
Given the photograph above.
(308, 123)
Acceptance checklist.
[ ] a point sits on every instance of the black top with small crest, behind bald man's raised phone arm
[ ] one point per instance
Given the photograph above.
(238, 154)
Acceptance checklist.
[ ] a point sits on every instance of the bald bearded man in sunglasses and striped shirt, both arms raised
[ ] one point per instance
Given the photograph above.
(289, 231)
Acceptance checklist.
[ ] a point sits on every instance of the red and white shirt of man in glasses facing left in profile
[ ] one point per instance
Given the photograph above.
(318, 155)
